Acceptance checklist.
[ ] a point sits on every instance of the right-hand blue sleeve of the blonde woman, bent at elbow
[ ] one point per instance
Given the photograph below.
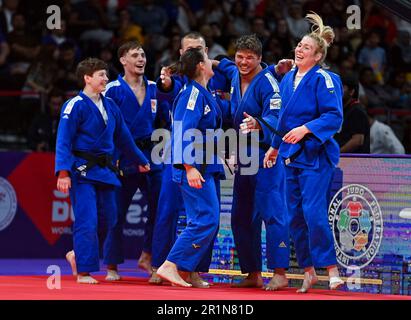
(330, 109)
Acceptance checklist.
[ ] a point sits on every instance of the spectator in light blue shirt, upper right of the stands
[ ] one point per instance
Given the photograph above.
(374, 56)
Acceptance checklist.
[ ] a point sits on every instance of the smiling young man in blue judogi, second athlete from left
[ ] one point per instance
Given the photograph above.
(136, 98)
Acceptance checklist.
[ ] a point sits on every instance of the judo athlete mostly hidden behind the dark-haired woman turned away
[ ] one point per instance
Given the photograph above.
(171, 204)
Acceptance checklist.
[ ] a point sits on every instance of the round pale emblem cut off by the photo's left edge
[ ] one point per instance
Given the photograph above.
(8, 203)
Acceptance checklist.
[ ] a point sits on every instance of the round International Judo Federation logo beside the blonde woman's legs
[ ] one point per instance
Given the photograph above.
(356, 221)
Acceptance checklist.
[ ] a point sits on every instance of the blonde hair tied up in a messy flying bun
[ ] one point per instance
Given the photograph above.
(321, 34)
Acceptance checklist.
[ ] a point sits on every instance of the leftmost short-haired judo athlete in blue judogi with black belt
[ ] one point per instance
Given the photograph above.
(91, 127)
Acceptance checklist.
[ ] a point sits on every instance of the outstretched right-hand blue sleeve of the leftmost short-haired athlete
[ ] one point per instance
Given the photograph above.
(124, 141)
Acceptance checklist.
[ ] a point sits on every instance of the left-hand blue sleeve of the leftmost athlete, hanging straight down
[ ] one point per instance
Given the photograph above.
(70, 119)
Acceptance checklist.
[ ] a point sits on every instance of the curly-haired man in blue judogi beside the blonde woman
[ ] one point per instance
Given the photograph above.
(259, 195)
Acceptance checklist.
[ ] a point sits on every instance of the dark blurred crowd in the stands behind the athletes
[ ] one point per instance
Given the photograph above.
(37, 65)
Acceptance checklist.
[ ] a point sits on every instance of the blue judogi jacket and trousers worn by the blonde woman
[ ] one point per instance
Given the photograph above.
(317, 104)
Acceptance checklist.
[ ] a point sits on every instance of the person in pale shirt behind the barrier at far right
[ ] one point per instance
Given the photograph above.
(383, 139)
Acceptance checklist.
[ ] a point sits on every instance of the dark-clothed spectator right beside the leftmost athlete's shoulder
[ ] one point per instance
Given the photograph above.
(43, 129)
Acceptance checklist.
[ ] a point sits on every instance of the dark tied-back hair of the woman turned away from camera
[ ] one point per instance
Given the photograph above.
(187, 65)
